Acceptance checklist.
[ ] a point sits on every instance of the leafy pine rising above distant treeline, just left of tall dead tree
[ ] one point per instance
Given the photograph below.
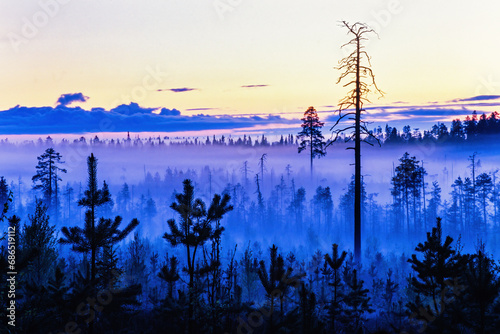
(311, 136)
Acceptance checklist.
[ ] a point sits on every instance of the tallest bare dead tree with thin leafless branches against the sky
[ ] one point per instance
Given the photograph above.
(361, 77)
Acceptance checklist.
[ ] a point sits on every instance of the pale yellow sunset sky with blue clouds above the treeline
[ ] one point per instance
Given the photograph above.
(239, 57)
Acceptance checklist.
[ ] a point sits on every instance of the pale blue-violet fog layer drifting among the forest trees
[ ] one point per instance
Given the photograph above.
(157, 171)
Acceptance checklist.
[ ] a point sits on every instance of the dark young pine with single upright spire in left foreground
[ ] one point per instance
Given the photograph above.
(94, 237)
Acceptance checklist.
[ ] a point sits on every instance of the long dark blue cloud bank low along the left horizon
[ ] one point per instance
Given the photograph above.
(131, 117)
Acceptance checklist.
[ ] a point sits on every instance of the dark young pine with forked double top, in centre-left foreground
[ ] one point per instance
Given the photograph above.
(195, 229)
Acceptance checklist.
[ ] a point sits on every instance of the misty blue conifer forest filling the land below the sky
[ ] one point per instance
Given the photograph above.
(252, 242)
